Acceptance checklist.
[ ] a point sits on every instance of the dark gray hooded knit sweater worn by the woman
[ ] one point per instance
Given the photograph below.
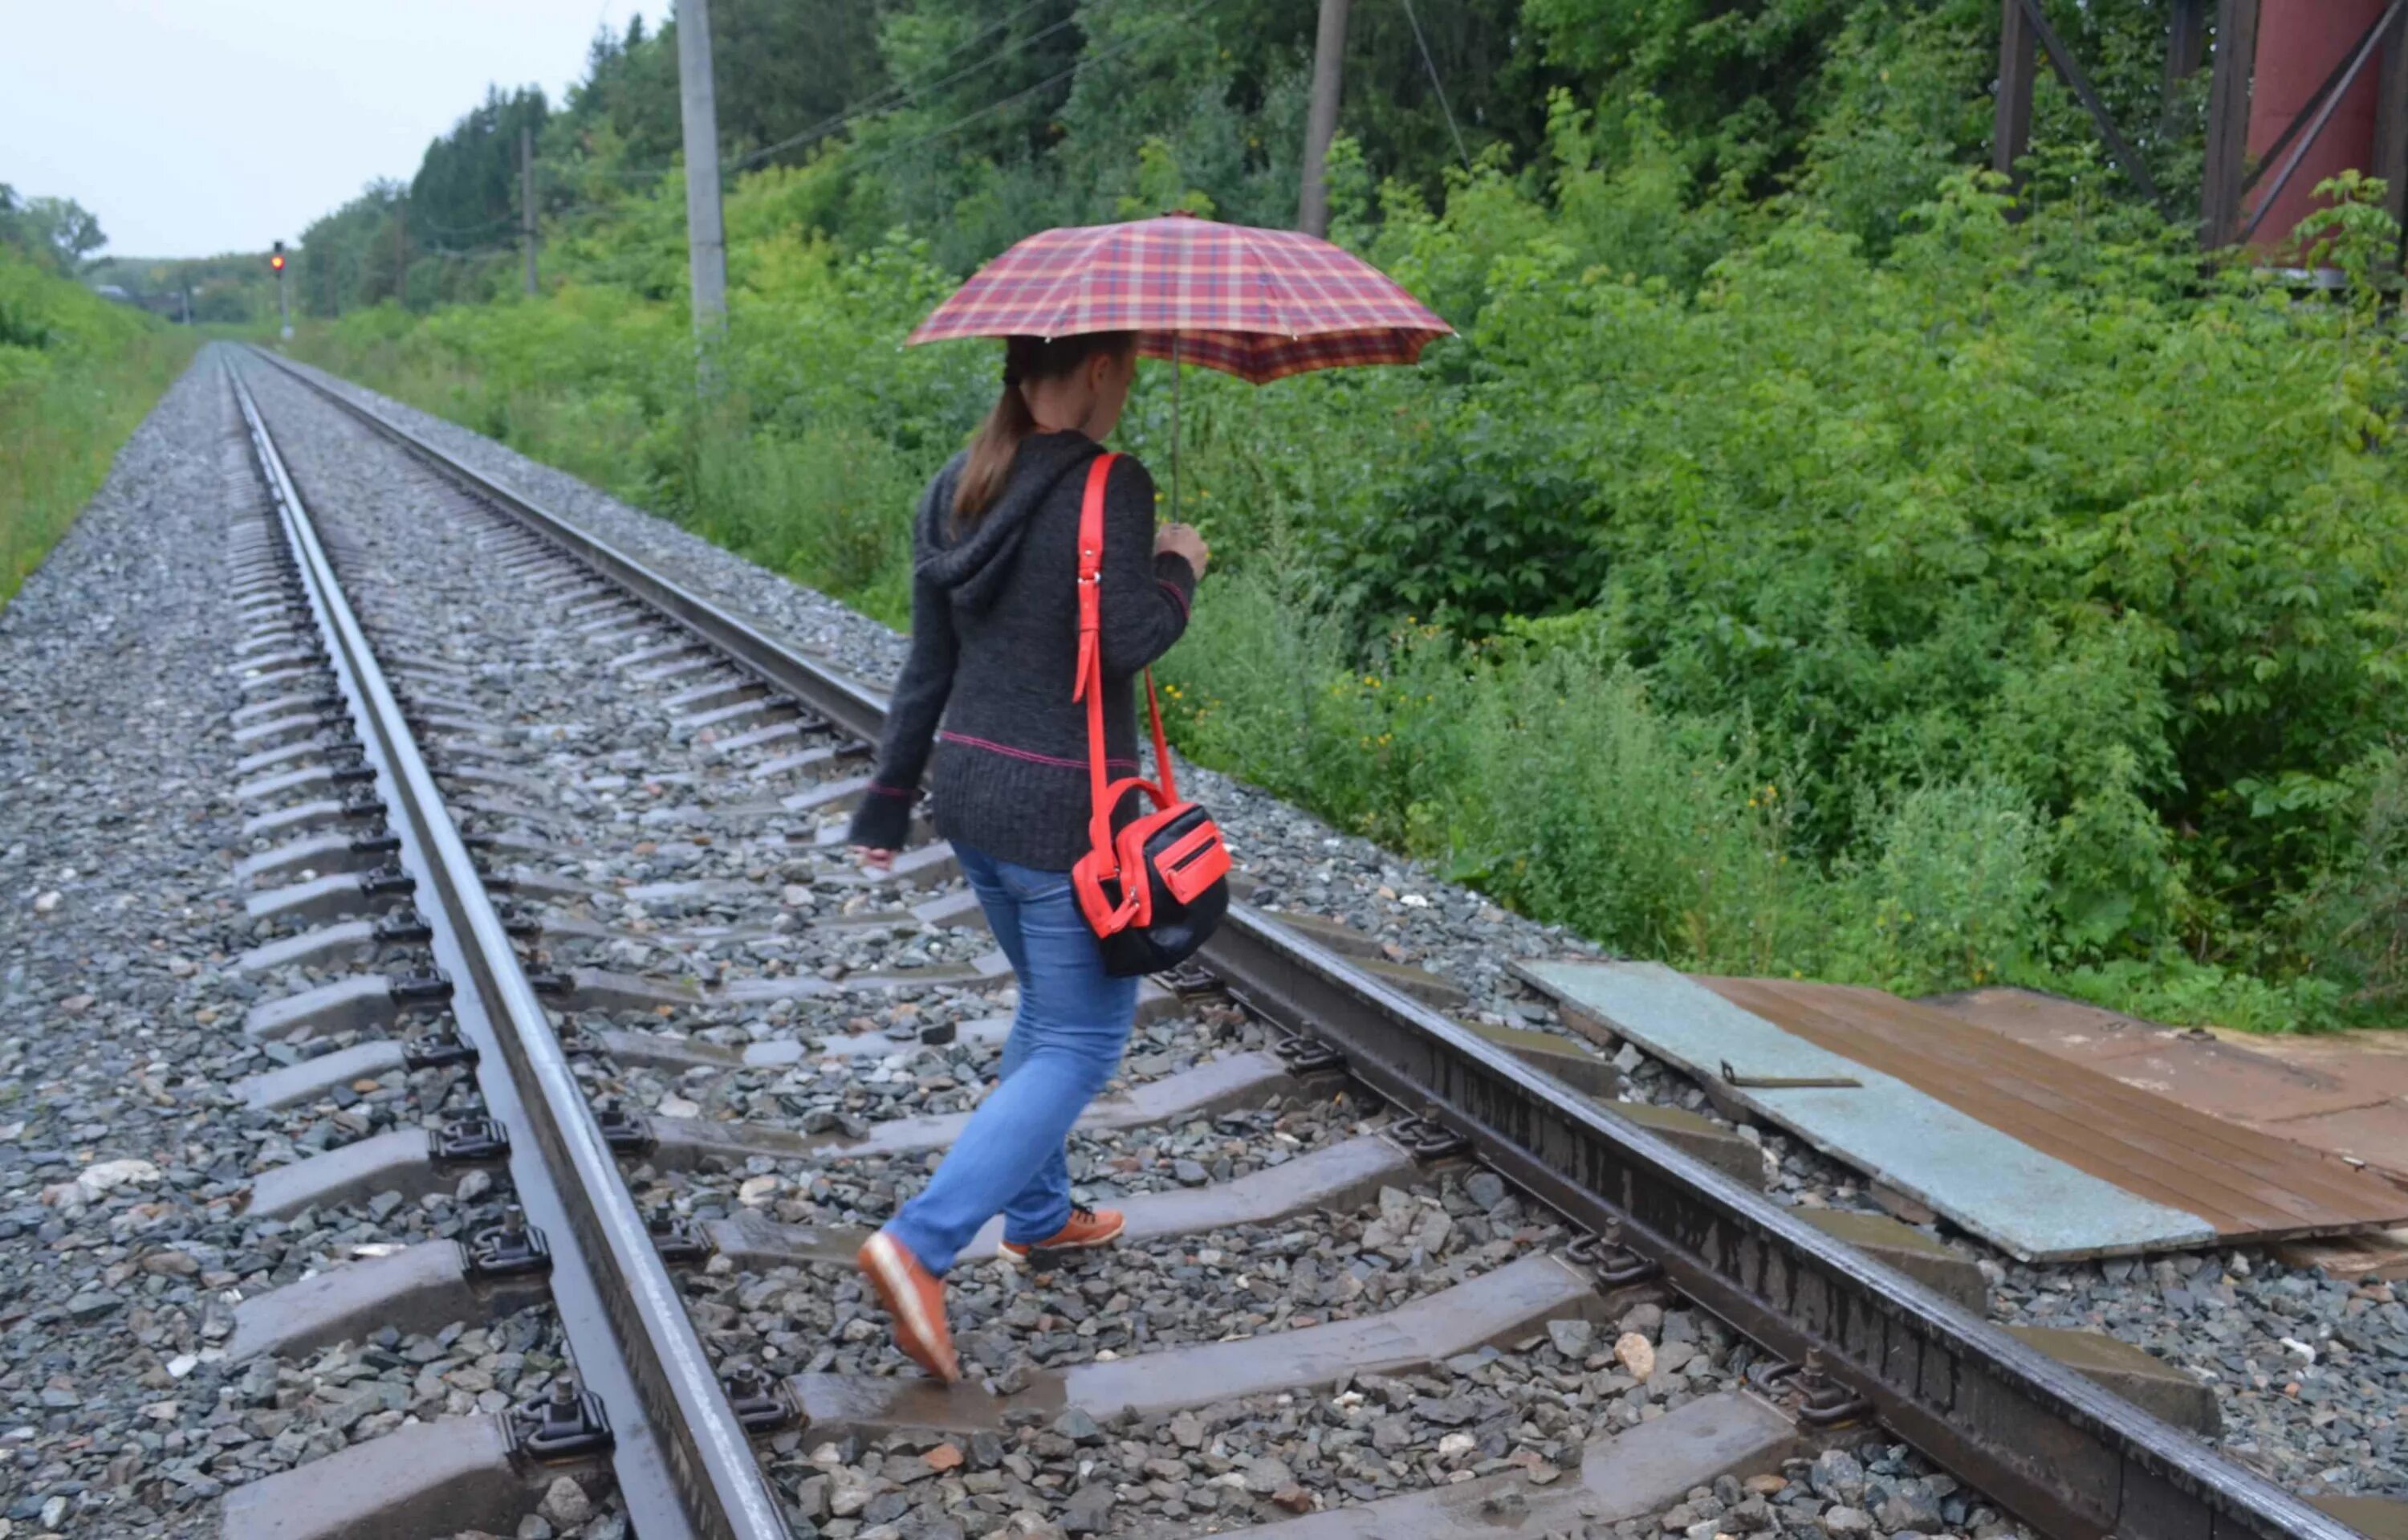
(996, 647)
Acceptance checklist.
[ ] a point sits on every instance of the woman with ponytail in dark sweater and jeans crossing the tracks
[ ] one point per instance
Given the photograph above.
(993, 654)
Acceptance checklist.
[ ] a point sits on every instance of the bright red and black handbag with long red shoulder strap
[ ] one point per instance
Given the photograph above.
(1157, 888)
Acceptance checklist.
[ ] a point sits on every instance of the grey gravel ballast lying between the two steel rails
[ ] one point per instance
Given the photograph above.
(743, 912)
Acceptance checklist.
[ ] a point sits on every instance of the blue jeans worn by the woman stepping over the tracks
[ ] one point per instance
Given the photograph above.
(1066, 1042)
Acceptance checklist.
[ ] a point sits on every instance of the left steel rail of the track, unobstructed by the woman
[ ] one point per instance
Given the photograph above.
(678, 1452)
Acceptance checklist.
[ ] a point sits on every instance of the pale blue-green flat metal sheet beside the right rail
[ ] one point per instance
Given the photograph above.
(1993, 1185)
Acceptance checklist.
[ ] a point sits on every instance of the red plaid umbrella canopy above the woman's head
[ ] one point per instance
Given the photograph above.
(1234, 298)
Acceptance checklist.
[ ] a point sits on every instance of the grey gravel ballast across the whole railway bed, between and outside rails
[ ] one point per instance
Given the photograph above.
(656, 852)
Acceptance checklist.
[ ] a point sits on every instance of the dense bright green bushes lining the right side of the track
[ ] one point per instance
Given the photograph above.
(1993, 599)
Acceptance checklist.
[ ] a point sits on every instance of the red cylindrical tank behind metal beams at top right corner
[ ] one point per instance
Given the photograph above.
(2301, 42)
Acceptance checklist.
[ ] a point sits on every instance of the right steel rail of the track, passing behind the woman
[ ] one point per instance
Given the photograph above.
(2060, 1452)
